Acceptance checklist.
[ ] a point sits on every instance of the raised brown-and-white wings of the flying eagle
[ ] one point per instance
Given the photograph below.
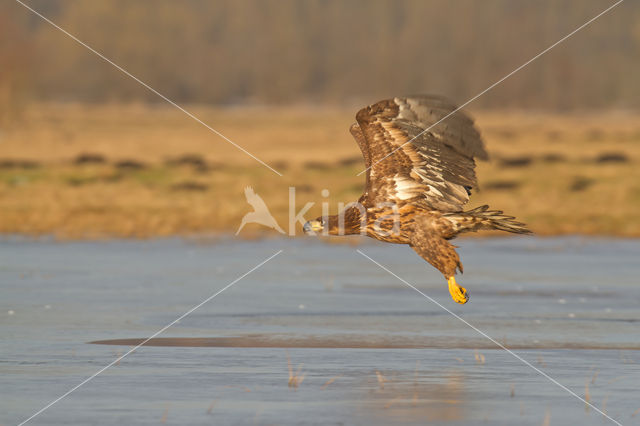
(436, 169)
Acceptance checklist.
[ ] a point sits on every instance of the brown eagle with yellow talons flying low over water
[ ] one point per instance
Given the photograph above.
(419, 175)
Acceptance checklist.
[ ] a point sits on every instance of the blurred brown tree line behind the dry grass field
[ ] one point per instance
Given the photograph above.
(323, 51)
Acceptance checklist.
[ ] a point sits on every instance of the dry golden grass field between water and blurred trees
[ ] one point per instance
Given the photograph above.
(81, 171)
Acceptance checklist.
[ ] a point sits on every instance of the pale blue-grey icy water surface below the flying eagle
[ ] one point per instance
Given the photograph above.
(368, 348)
